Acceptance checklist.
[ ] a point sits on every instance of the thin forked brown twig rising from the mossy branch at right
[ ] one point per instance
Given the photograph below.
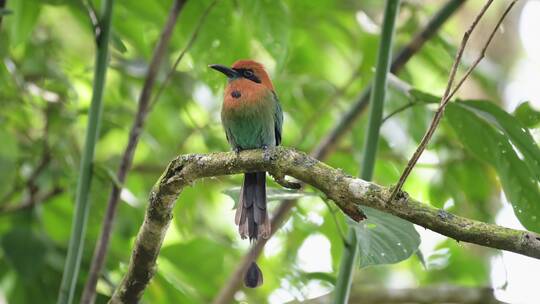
(449, 92)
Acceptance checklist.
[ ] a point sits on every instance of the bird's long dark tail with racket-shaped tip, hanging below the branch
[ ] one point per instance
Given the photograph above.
(252, 218)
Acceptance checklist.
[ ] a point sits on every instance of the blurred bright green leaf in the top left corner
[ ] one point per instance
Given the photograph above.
(23, 20)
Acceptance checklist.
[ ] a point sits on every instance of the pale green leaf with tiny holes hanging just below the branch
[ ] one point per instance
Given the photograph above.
(385, 239)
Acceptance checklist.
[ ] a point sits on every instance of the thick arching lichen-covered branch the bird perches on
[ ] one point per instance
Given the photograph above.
(347, 192)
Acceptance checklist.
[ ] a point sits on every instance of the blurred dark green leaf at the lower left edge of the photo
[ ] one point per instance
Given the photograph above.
(25, 251)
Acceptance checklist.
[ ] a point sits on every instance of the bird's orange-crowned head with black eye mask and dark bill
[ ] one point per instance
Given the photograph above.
(243, 70)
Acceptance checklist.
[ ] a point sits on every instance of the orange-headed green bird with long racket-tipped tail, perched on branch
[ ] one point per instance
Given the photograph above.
(252, 118)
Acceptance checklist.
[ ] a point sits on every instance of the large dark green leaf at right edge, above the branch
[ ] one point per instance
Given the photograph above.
(498, 146)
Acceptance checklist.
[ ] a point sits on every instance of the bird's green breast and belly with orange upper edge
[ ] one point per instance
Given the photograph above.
(250, 125)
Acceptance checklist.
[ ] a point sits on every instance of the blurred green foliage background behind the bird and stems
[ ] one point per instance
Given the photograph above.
(321, 54)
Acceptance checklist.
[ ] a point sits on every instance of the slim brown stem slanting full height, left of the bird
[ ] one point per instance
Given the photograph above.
(100, 252)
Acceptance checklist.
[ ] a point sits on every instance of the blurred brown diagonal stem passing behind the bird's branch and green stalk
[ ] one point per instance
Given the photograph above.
(327, 144)
